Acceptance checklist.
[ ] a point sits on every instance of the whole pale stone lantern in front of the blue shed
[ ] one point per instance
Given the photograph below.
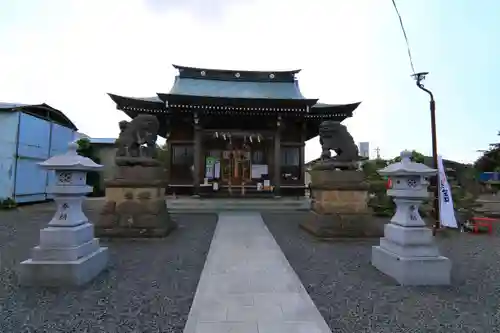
(68, 253)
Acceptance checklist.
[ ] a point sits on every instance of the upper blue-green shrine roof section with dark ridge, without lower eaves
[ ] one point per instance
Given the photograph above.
(236, 84)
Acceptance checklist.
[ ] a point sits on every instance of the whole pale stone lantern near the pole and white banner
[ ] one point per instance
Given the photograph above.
(407, 251)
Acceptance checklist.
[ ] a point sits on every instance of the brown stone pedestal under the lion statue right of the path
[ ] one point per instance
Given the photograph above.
(340, 206)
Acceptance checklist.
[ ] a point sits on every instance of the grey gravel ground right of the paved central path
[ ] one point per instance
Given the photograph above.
(353, 296)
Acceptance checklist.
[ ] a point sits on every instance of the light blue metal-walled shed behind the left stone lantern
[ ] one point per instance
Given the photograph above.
(30, 134)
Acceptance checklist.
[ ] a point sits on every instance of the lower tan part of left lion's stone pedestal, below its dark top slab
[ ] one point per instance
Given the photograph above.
(134, 212)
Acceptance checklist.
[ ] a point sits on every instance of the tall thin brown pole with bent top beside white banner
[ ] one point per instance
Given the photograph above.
(419, 77)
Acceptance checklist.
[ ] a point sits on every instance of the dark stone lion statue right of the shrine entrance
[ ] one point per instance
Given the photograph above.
(334, 136)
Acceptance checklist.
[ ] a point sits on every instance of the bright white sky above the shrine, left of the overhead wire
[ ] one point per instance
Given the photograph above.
(69, 54)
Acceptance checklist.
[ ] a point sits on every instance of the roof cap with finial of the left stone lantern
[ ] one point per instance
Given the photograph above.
(71, 160)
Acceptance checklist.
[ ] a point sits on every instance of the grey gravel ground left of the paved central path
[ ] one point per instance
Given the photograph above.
(149, 286)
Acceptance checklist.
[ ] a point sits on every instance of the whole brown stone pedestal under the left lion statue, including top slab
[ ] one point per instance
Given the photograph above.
(135, 204)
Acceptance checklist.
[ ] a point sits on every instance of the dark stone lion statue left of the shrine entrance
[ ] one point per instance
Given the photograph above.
(138, 137)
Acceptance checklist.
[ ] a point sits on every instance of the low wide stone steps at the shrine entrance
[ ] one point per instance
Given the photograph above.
(209, 205)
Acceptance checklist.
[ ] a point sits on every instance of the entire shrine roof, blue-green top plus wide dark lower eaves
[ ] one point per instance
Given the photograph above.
(237, 89)
